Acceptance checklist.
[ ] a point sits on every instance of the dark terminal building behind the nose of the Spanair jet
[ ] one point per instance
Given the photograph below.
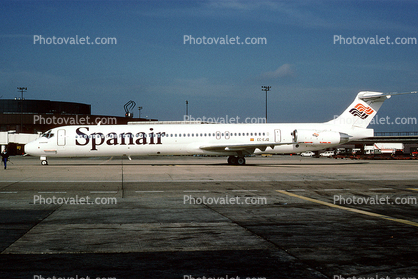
(22, 120)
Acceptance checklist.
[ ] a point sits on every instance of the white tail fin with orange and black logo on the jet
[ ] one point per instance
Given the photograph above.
(361, 112)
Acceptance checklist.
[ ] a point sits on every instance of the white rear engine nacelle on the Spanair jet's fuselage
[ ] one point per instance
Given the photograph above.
(317, 138)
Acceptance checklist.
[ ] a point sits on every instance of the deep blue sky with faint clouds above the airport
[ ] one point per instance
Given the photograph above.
(312, 78)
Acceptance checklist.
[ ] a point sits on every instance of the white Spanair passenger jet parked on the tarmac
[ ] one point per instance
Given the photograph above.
(197, 138)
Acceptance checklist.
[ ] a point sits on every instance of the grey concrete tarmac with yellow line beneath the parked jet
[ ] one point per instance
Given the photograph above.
(198, 217)
